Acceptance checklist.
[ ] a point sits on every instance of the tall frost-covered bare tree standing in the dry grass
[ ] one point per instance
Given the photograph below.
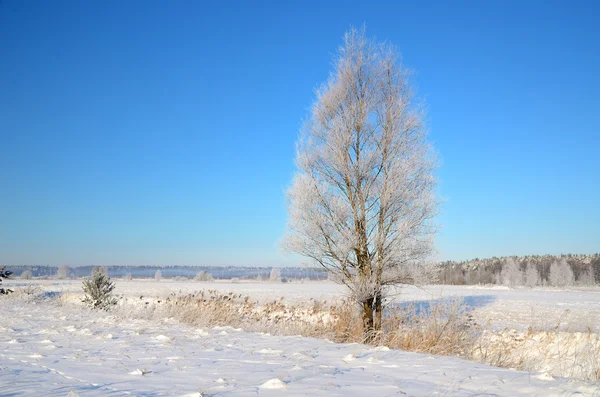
(362, 202)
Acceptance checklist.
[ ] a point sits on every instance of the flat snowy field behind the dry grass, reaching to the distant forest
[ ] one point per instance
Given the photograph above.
(541, 308)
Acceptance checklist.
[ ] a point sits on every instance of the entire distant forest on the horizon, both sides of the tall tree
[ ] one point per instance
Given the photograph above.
(534, 270)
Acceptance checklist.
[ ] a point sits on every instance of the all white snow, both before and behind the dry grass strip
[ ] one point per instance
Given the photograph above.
(55, 349)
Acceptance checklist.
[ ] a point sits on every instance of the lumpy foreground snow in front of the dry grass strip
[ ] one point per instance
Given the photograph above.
(64, 350)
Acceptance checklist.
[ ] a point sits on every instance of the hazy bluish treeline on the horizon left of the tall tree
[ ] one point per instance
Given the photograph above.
(190, 272)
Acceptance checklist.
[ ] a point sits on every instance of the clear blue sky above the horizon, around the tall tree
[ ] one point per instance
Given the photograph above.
(144, 132)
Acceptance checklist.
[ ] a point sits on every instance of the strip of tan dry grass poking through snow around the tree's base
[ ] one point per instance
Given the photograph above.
(443, 327)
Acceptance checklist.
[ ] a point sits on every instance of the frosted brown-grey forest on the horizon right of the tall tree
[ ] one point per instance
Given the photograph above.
(535, 270)
